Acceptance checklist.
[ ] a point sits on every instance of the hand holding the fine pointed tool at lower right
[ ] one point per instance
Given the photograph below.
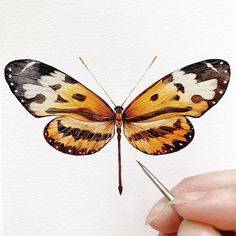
(209, 199)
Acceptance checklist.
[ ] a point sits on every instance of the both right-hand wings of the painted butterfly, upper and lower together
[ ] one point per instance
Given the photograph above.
(155, 121)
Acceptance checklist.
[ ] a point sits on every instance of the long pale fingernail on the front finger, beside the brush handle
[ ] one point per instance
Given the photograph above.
(187, 197)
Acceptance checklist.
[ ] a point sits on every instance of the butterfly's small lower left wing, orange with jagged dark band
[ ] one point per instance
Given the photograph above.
(75, 137)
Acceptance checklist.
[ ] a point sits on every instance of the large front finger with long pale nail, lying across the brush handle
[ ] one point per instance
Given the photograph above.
(216, 208)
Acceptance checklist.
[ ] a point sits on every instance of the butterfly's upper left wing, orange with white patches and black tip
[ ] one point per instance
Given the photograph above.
(43, 91)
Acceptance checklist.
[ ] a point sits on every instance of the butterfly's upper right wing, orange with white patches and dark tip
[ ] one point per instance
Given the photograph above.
(190, 91)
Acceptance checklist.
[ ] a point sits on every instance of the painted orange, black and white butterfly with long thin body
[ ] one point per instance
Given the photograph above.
(155, 122)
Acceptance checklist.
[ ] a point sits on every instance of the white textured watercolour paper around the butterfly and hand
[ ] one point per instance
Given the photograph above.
(46, 192)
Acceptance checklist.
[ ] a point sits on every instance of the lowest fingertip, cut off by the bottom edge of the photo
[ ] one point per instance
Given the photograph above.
(187, 228)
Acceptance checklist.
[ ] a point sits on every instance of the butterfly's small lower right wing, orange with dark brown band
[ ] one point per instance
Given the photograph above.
(160, 137)
